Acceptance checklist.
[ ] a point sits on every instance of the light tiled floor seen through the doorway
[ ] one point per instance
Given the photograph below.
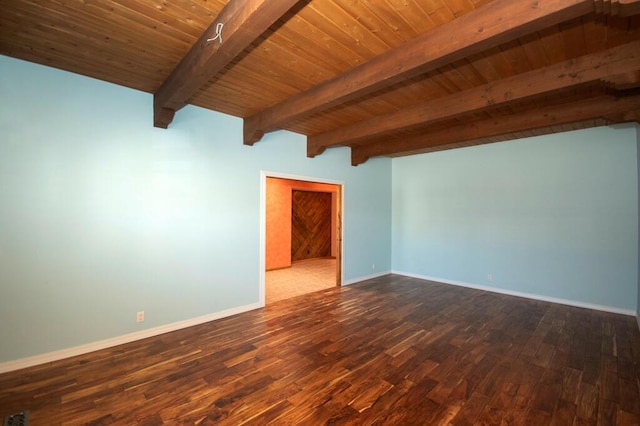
(303, 277)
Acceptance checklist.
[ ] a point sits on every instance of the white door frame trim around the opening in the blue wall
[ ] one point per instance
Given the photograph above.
(264, 174)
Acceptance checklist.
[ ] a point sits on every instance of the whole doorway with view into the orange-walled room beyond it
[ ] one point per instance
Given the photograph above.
(302, 228)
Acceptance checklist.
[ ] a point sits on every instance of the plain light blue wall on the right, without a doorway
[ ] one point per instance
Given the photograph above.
(553, 216)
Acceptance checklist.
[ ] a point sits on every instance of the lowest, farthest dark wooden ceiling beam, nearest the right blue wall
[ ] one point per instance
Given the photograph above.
(477, 131)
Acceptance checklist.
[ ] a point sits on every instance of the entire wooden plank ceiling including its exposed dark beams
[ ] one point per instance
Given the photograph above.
(385, 77)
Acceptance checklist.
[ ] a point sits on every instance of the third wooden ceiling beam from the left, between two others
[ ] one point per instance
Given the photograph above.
(565, 74)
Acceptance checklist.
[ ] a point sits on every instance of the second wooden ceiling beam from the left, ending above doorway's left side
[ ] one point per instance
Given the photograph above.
(497, 22)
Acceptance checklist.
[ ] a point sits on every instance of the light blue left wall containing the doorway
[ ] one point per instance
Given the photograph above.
(102, 215)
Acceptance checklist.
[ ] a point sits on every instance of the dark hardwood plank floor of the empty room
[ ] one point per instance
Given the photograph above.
(392, 350)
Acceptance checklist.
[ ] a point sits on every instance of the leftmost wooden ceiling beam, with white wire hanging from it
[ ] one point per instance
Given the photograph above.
(244, 21)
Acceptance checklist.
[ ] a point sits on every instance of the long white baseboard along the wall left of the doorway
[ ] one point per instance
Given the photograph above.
(119, 340)
